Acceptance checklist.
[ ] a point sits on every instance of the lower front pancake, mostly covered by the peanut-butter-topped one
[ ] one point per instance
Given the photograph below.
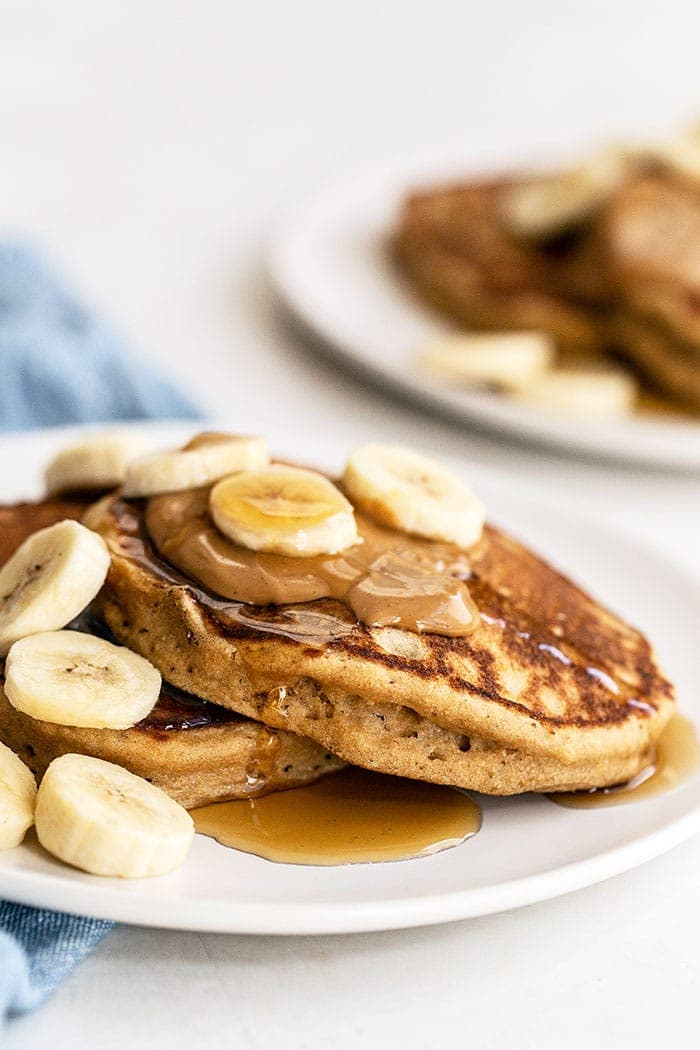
(197, 752)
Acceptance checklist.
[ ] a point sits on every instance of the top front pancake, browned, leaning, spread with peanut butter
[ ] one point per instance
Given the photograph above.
(551, 692)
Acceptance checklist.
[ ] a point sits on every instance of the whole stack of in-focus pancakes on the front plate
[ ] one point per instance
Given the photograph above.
(550, 691)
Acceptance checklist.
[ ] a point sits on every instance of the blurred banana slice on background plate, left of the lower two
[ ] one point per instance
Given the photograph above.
(506, 360)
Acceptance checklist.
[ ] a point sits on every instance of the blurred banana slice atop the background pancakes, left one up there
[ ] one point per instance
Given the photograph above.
(550, 205)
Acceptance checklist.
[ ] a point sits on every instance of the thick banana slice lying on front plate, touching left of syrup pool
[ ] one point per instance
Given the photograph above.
(102, 820)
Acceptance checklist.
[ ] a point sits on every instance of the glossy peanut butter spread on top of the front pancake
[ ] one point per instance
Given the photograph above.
(388, 579)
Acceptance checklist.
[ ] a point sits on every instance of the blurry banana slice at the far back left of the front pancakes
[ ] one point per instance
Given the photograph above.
(96, 465)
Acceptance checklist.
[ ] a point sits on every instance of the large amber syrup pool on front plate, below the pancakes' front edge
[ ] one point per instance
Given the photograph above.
(347, 818)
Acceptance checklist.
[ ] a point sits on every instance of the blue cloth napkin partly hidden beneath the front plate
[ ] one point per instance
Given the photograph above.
(60, 365)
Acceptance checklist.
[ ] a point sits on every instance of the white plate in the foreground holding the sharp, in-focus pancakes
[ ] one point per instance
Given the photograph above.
(528, 849)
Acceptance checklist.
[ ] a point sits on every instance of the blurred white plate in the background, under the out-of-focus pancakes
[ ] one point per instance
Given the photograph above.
(331, 265)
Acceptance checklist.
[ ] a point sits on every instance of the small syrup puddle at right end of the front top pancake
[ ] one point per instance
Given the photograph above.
(677, 758)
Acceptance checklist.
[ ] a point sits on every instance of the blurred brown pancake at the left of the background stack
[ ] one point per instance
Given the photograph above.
(454, 246)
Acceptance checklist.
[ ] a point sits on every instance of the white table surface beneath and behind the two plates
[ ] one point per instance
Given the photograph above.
(150, 146)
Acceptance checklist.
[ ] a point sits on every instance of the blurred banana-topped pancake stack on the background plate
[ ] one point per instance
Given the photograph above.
(605, 259)
